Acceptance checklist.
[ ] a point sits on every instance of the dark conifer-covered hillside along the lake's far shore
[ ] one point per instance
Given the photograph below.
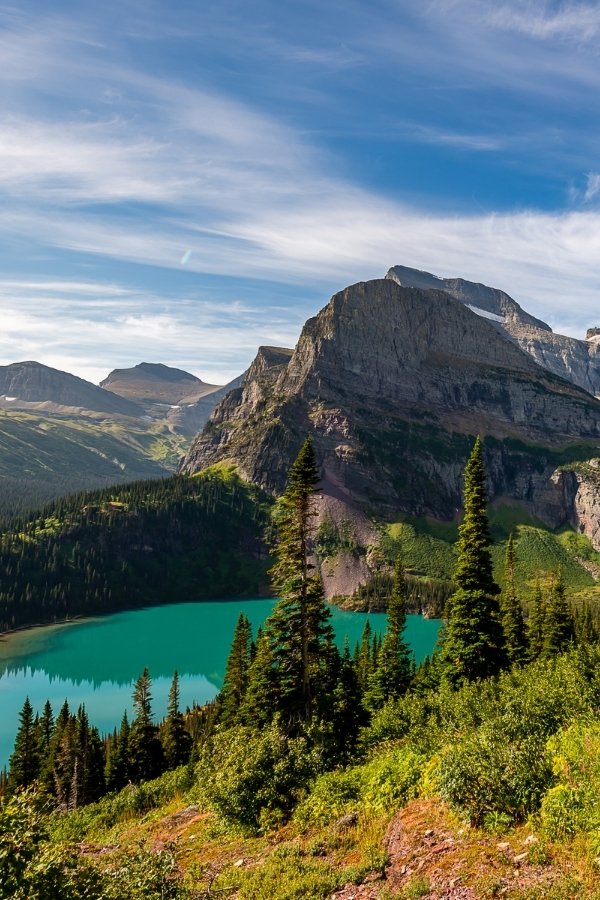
(111, 549)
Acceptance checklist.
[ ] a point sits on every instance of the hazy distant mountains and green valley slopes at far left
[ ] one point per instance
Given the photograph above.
(60, 433)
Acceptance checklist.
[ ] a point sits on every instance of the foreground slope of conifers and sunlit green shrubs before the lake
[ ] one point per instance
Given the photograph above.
(501, 724)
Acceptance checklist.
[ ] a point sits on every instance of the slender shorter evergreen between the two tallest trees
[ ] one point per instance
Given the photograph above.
(393, 673)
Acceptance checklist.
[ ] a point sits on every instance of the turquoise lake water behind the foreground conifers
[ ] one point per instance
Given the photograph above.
(96, 661)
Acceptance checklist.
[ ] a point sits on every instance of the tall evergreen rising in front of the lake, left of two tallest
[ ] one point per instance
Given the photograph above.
(299, 630)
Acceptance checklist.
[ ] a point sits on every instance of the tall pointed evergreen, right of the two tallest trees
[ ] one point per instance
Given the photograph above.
(473, 641)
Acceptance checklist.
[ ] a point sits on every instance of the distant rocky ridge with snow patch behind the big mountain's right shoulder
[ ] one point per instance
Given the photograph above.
(577, 361)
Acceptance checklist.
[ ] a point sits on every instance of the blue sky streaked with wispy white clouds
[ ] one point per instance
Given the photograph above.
(181, 182)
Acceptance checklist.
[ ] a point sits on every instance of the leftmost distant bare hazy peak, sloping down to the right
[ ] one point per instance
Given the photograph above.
(33, 386)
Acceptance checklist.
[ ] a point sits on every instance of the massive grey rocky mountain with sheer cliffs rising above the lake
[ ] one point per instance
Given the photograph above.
(394, 382)
